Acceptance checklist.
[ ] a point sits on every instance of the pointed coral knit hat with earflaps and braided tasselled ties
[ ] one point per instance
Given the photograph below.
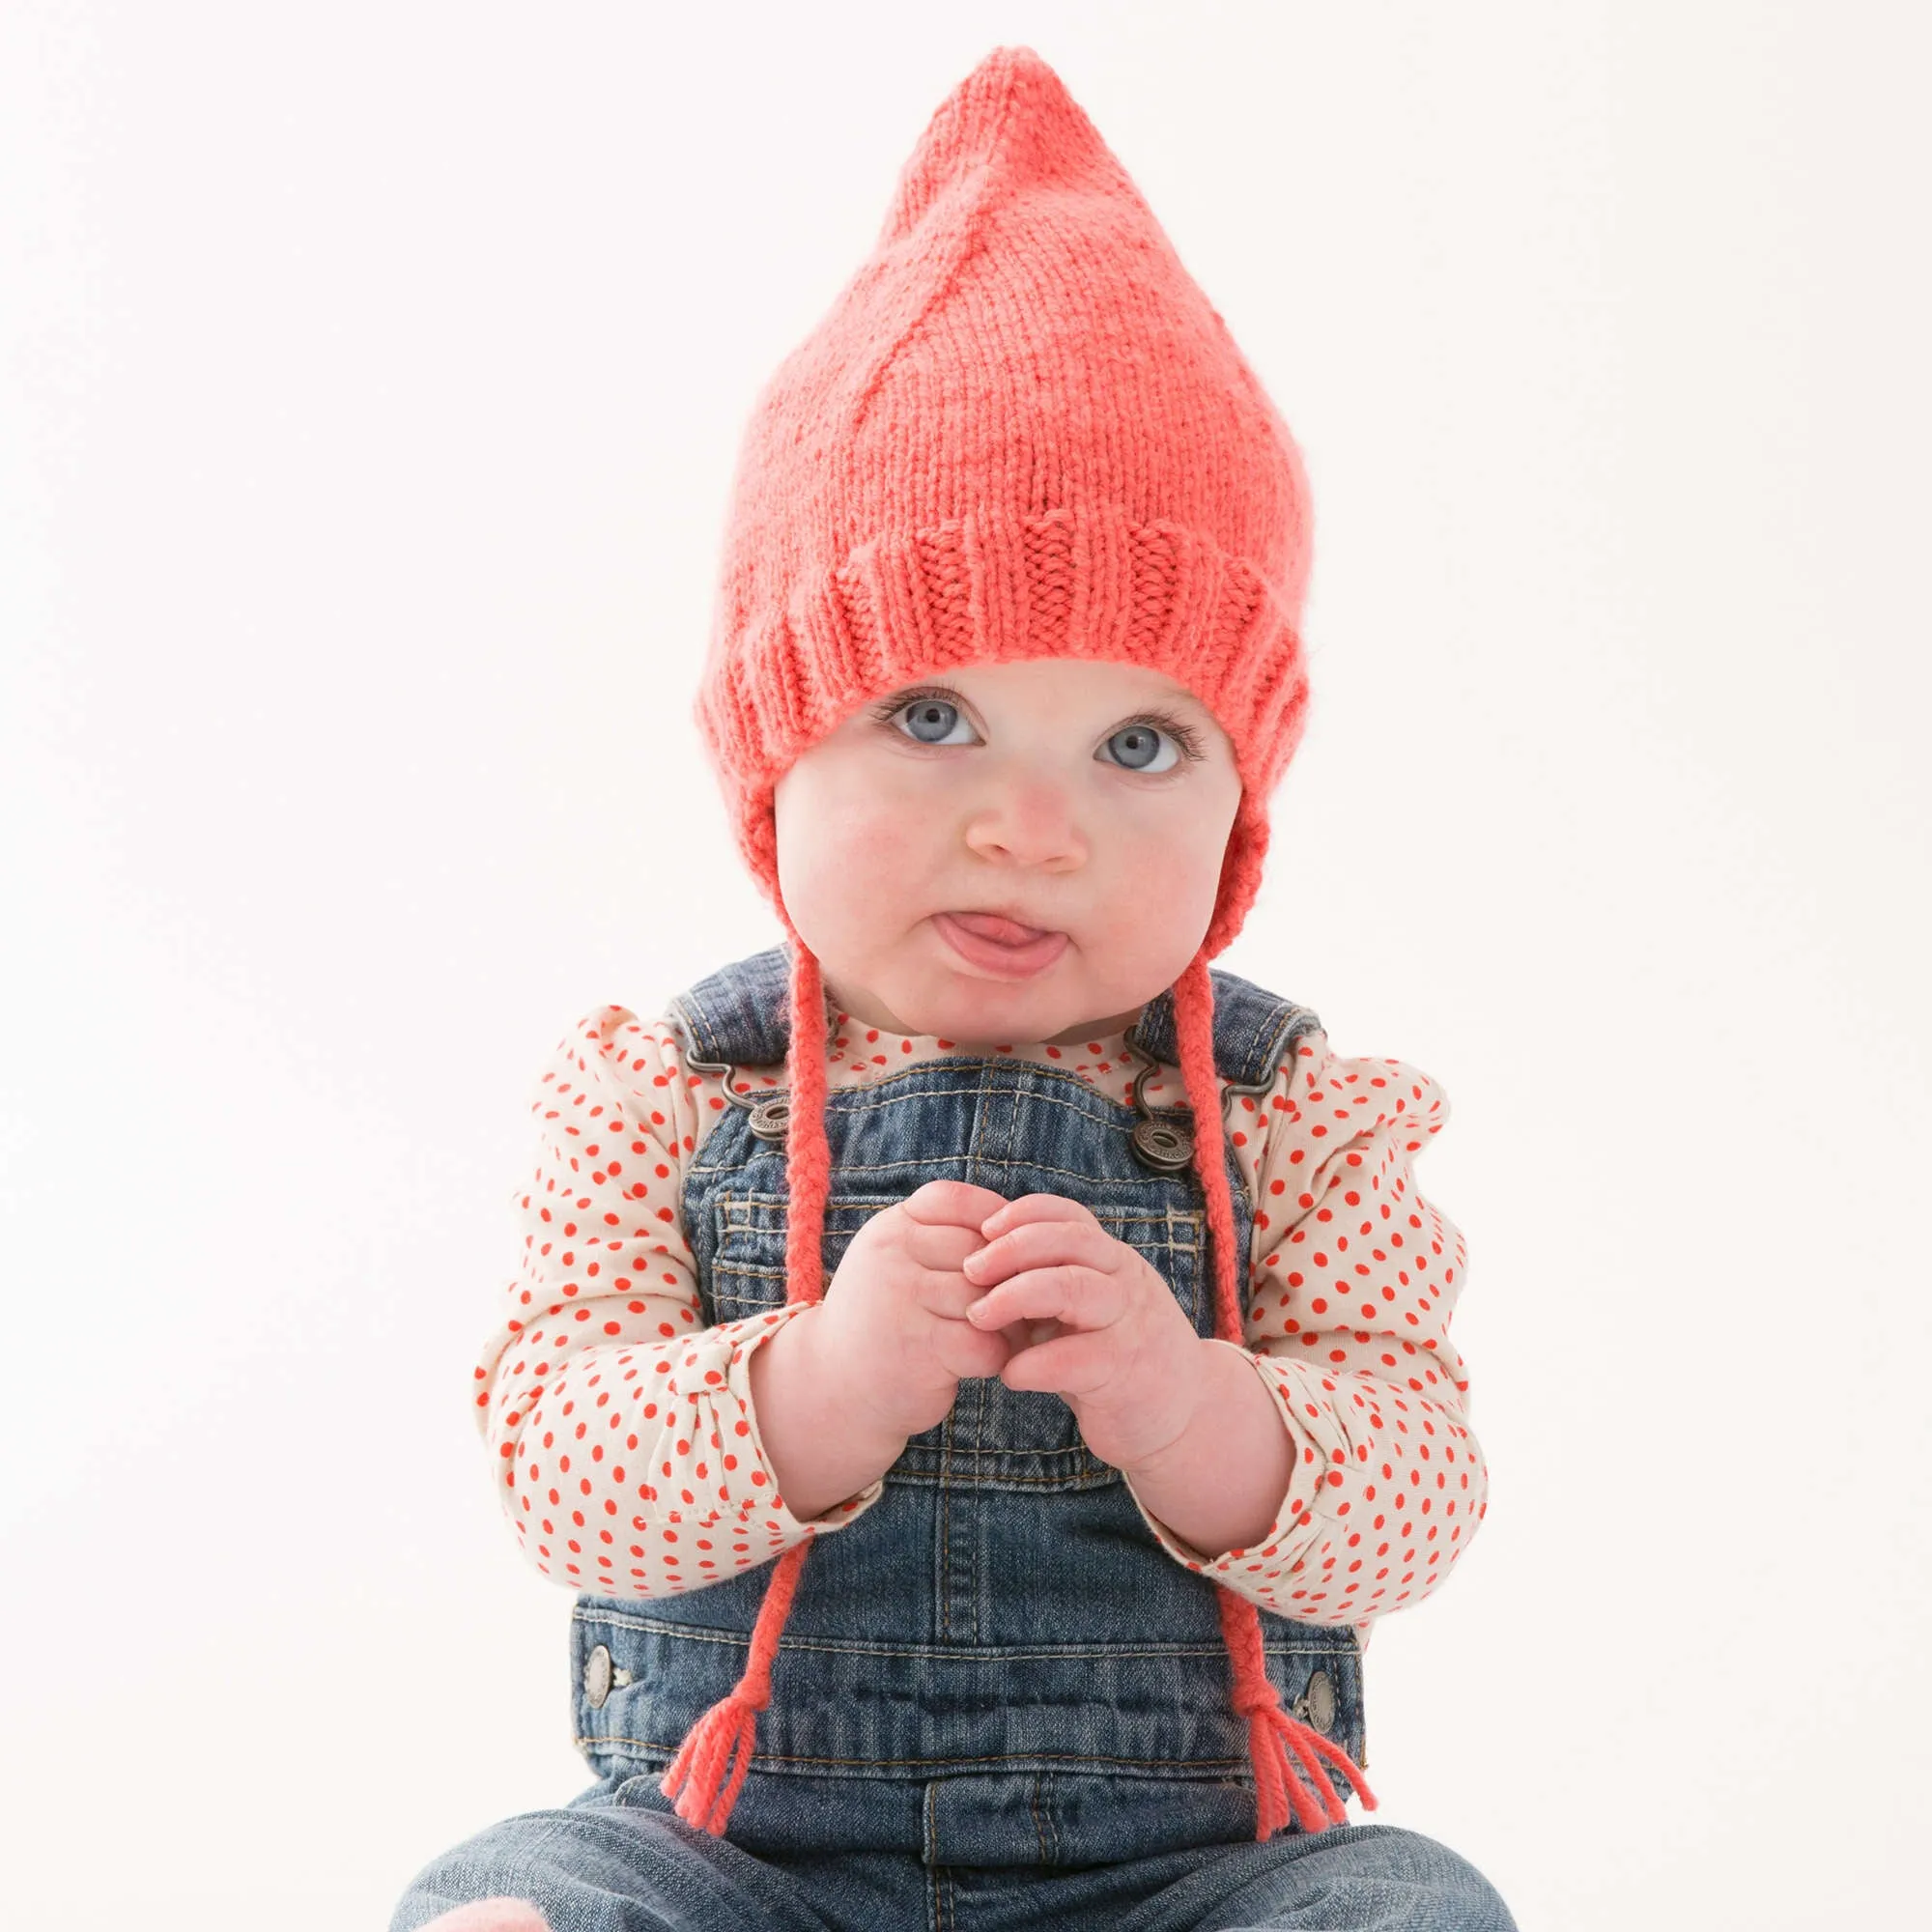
(1021, 432)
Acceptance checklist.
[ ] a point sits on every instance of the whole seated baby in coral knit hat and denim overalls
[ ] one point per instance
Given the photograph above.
(980, 1465)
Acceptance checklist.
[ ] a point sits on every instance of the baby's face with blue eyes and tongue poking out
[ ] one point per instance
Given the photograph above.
(1091, 799)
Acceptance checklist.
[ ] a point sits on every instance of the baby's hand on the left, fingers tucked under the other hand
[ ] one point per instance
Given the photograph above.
(895, 1309)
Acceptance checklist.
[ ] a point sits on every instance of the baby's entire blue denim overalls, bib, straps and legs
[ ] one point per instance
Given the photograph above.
(998, 1703)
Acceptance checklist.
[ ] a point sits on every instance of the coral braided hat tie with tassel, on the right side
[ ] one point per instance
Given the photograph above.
(1272, 1732)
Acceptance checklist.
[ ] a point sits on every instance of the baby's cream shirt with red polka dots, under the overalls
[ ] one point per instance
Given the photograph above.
(625, 1435)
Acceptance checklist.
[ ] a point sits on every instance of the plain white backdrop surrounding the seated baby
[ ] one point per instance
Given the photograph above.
(372, 382)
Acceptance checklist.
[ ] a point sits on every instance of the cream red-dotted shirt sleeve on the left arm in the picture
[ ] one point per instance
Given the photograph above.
(621, 1431)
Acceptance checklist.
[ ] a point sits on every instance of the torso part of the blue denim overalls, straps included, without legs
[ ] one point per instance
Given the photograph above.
(996, 1664)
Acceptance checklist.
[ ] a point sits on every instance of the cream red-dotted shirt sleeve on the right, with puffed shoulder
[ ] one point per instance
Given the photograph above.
(1355, 1278)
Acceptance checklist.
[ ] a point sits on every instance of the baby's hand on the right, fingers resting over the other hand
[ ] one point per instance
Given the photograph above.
(1123, 1353)
